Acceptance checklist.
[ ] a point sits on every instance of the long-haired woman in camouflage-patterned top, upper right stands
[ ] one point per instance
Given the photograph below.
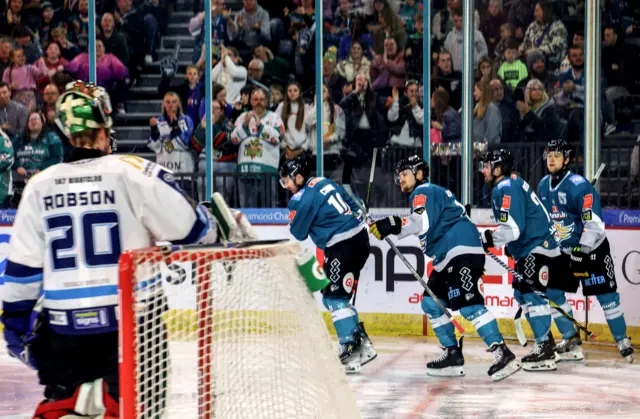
(545, 34)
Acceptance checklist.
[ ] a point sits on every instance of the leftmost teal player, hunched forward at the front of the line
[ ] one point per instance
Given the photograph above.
(320, 208)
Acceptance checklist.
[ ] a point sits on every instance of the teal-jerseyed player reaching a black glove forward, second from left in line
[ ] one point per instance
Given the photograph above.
(448, 236)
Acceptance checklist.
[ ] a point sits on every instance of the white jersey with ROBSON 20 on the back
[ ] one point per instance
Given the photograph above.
(73, 222)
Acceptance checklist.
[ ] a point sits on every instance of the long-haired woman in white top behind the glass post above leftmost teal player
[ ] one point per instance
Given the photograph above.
(333, 132)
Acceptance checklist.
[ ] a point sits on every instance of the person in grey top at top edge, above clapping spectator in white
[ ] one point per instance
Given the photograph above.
(250, 28)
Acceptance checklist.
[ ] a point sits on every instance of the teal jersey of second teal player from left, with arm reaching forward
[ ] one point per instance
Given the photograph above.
(442, 224)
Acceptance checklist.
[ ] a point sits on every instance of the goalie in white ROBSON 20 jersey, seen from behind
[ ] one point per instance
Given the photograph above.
(60, 295)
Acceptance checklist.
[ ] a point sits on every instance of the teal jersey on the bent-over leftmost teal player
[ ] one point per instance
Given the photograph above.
(323, 210)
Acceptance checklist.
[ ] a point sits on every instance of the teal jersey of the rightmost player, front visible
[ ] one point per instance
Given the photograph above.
(574, 207)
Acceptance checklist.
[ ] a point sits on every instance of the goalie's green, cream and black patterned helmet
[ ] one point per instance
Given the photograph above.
(83, 106)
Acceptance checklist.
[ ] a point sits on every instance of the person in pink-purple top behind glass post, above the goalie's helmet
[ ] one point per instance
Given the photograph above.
(110, 74)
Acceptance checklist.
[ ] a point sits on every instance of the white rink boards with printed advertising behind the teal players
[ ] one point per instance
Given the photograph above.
(386, 286)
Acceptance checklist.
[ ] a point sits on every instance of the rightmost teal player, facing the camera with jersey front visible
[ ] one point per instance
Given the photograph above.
(574, 206)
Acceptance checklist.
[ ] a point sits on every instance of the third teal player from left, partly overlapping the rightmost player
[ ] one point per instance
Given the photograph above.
(524, 226)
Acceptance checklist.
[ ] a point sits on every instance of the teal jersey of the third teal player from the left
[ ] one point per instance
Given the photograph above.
(524, 225)
